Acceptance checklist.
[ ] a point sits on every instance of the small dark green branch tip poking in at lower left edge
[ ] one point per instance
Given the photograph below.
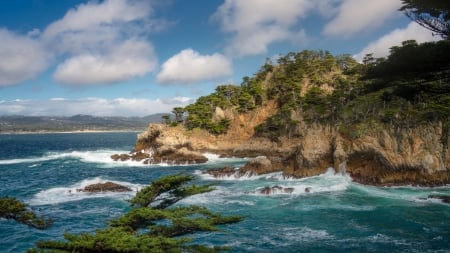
(12, 208)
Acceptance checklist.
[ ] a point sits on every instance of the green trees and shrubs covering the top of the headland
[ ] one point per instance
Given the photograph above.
(407, 88)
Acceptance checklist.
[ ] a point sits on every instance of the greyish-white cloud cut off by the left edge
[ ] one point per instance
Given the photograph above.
(21, 58)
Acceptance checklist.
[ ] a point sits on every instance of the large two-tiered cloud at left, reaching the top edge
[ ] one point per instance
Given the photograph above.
(104, 42)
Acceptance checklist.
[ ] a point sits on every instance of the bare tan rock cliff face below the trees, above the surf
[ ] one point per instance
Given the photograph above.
(384, 156)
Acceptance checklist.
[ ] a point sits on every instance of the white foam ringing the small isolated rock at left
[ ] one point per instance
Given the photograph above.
(63, 194)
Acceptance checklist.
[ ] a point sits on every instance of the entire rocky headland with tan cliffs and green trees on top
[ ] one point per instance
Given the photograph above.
(385, 122)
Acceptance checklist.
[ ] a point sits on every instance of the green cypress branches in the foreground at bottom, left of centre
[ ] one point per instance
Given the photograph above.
(150, 226)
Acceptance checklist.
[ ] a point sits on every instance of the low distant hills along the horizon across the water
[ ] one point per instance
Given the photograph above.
(79, 122)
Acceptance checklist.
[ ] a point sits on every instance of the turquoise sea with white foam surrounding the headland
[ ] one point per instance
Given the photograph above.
(338, 215)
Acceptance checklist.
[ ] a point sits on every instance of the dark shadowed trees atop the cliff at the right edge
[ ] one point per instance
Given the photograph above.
(413, 82)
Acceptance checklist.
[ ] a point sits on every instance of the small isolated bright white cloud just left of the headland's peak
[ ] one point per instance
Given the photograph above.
(188, 66)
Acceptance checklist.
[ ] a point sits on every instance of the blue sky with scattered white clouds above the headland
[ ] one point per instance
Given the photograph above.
(140, 57)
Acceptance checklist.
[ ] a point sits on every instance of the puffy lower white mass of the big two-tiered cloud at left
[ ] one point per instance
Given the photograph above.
(130, 59)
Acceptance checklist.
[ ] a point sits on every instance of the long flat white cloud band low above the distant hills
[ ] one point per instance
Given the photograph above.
(95, 106)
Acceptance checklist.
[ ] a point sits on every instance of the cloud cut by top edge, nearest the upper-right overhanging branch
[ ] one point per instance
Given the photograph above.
(358, 15)
